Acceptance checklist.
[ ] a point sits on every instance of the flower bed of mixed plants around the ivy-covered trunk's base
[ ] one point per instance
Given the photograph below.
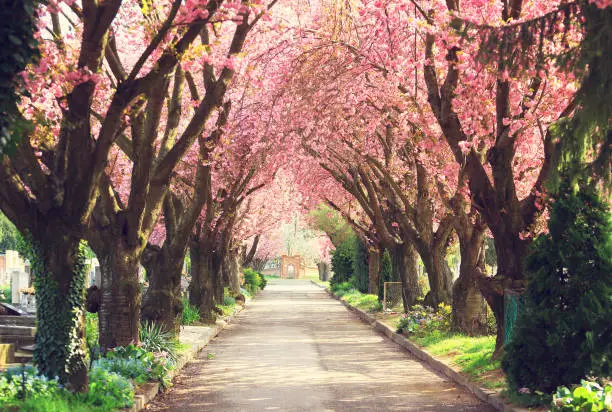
(113, 378)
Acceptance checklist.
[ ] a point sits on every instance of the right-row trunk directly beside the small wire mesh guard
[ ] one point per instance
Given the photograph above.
(404, 263)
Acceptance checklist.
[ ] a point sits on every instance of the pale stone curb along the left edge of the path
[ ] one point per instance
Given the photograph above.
(148, 391)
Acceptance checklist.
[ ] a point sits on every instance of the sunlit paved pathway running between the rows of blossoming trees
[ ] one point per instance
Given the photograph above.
(296, 349)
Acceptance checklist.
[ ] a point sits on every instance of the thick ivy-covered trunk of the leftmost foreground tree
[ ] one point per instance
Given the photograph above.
(60, 346)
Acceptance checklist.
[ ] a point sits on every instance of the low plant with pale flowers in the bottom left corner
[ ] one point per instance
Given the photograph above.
(11, 384)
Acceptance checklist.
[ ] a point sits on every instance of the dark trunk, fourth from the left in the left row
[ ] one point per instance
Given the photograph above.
(201, 288)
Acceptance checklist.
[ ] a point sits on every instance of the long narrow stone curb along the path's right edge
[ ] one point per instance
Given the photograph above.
(486, 395)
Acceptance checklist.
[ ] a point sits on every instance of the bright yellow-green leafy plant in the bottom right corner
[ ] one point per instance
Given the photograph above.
(588, 396)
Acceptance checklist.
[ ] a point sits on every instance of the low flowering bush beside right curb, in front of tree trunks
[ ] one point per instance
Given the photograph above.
(423, 319)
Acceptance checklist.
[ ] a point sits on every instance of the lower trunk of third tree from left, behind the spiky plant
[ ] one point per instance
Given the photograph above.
(162, 302)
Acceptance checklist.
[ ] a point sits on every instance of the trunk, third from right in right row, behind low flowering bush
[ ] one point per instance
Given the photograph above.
(439, 274)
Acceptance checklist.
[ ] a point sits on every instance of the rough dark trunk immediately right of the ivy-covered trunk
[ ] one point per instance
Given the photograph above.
(120, 306)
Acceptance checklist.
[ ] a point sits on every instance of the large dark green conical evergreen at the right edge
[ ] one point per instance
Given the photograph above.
(563, 332)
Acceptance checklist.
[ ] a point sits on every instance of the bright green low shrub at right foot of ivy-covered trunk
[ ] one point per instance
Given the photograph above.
(108, 390)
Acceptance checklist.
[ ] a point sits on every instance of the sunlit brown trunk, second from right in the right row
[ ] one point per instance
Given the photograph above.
(469, 306)
